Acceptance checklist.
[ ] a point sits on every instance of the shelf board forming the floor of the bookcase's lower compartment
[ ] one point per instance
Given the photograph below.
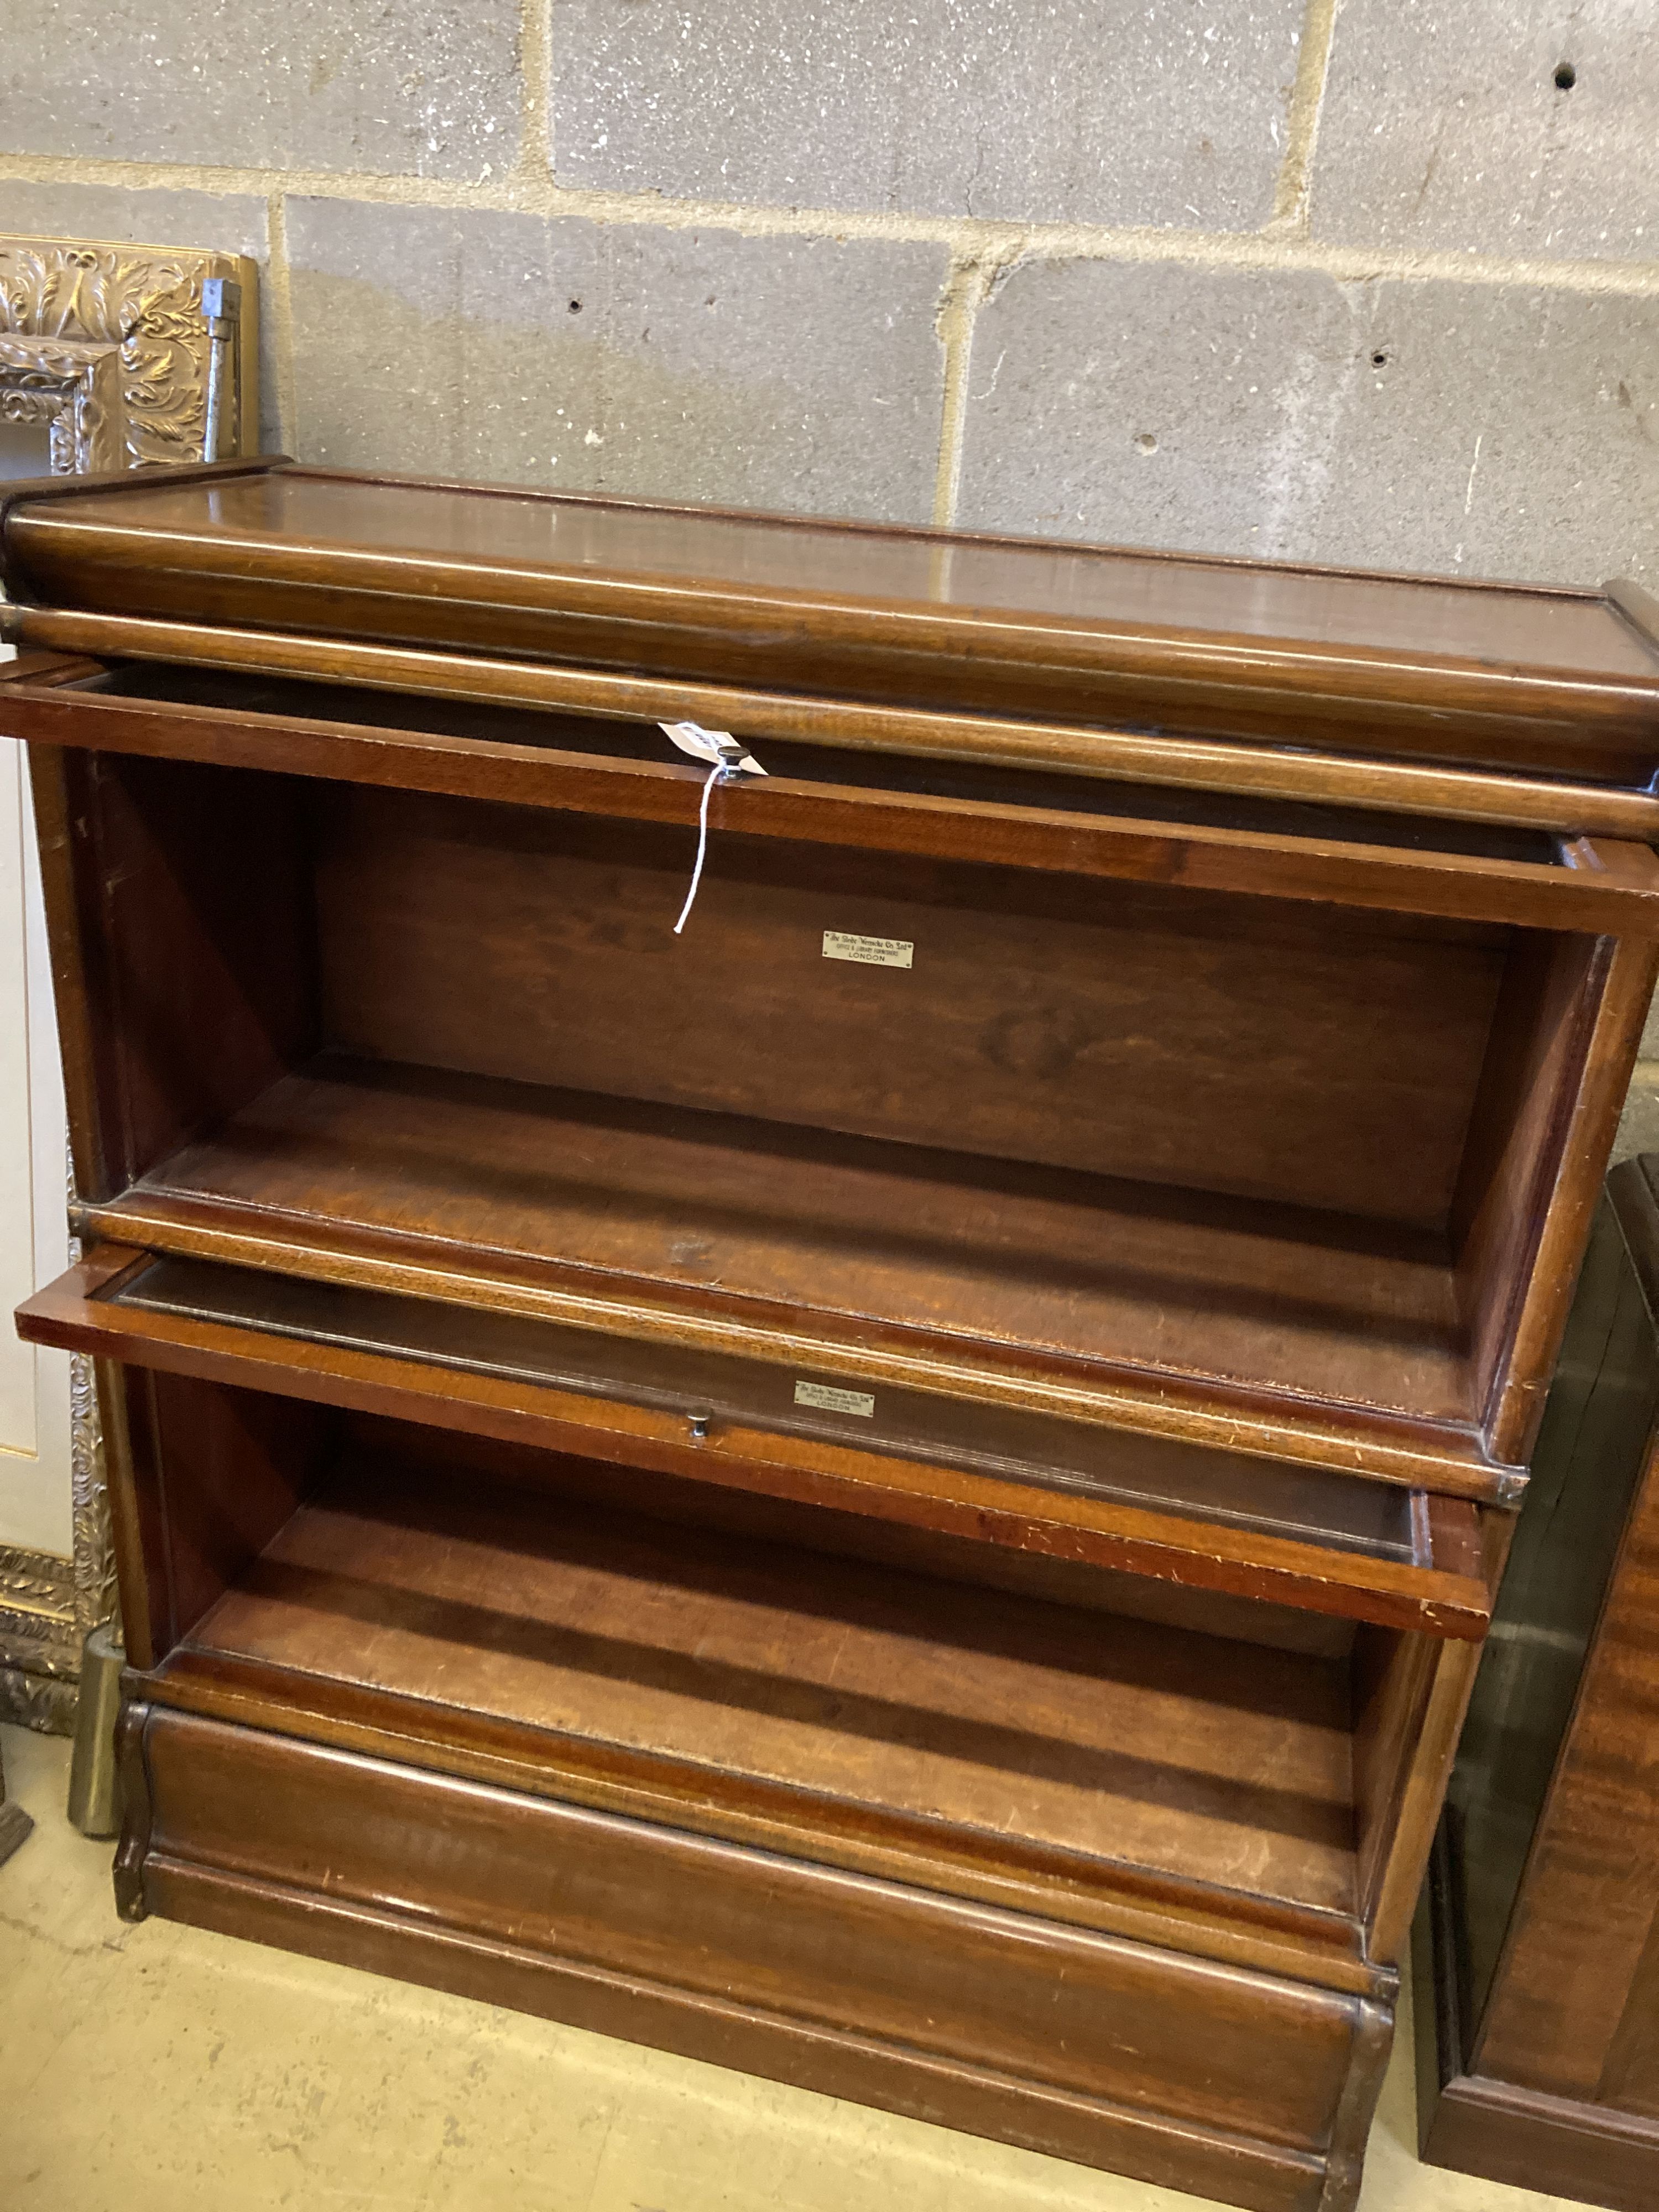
(833, 1709)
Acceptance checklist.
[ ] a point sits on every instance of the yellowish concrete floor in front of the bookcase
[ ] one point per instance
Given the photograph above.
(158, 2069)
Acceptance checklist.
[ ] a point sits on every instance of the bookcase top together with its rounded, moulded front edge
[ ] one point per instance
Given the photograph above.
(1379, 662)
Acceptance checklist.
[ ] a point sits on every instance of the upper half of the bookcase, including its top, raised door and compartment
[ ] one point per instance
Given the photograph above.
(1016, 1054)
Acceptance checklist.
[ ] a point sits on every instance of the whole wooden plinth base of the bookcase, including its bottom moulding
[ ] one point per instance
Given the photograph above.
(1178, 2072)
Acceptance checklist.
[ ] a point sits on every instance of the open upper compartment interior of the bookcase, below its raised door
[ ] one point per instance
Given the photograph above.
(1098, 1142)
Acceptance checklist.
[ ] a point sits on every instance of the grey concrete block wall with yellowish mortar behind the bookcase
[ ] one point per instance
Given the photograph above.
(1370, 282)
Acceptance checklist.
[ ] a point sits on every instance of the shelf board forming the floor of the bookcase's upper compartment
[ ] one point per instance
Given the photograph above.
(983, 1277)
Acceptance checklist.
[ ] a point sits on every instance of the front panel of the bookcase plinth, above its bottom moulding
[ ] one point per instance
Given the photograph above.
(972, 1990)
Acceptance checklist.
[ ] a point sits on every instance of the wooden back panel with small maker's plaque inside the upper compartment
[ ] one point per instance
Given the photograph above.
(1125, 1030)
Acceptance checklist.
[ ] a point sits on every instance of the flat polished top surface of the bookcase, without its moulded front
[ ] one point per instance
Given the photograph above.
(523, 545)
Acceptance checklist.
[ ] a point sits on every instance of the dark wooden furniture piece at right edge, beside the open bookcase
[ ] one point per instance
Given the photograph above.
(1538, 1981)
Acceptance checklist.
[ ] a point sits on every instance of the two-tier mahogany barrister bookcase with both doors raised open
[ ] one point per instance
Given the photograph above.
(899, 1490)
